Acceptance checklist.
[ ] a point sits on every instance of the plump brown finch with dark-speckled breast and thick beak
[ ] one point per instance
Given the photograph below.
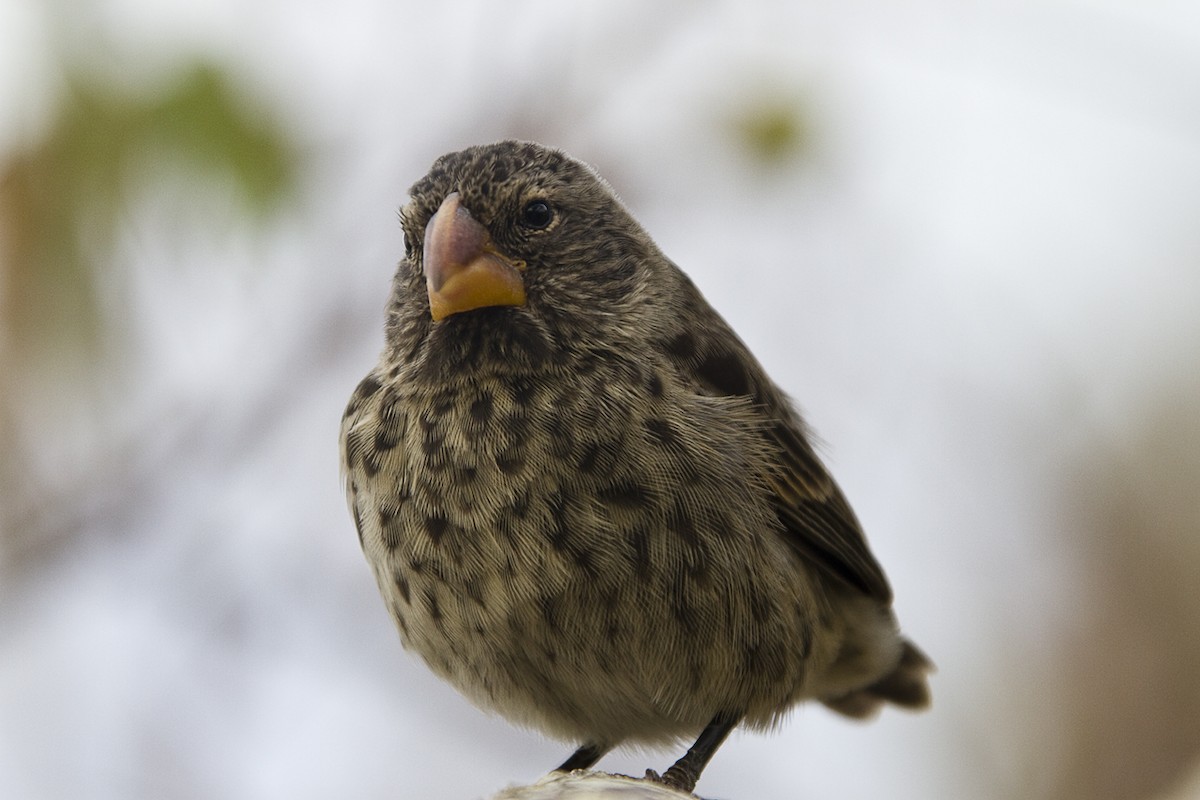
(585, 503)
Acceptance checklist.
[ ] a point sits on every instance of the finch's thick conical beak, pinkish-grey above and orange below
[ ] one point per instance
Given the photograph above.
(464, 269)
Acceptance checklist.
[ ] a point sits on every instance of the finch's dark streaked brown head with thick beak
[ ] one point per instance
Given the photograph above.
(518, 249)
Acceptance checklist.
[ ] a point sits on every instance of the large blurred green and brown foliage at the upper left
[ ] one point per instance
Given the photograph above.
(62, 200)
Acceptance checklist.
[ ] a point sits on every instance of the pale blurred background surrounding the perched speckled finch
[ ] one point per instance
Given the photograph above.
(967, 238)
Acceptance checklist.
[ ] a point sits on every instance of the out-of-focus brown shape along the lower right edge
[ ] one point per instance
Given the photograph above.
(1129, 670)
